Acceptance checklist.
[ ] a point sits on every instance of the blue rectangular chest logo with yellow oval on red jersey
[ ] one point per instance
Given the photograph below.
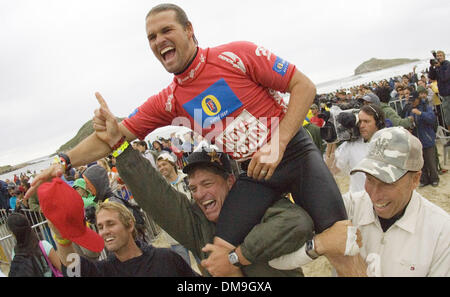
(215, 103)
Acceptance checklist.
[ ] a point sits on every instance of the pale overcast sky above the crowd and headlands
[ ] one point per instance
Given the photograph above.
(55, 55)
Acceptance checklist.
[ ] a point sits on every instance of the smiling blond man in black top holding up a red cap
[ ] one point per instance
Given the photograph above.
(64, 209)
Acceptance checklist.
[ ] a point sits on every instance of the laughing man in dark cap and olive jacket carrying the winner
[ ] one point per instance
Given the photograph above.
(283, 227)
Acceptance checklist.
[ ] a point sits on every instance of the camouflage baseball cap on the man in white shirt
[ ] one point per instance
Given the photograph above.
(392, 153)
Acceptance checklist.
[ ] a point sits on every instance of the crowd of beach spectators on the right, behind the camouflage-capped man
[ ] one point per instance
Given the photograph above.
(407, 101)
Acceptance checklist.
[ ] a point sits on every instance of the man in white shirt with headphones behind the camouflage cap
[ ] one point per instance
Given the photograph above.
(350, 153)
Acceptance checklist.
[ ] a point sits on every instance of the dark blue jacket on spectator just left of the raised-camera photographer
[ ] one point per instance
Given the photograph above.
(424, 125)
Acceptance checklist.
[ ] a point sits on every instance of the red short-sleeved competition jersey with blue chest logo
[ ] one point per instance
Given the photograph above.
(229, 94)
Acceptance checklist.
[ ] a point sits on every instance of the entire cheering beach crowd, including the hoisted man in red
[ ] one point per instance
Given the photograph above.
(228, 208)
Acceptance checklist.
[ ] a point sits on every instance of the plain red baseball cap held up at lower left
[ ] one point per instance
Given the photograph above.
(63, 206)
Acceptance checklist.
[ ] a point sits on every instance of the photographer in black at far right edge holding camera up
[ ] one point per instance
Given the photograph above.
(440, 71)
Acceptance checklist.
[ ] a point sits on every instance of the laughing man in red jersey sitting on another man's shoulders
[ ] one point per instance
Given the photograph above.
(229, 94)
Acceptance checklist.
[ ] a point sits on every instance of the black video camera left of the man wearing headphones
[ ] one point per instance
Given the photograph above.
(342, 125)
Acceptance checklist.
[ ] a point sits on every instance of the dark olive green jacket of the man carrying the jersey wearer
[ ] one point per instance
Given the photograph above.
(284, 228)
